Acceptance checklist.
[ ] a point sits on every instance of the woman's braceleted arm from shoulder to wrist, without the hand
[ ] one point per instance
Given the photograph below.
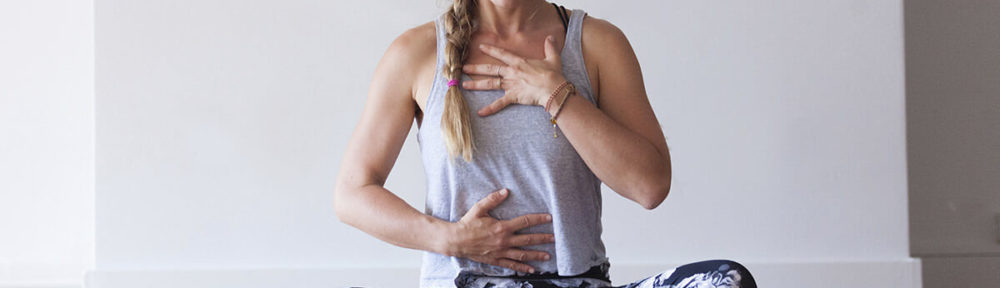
(621, 141)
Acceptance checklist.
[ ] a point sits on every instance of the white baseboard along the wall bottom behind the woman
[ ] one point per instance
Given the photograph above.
(902, 273)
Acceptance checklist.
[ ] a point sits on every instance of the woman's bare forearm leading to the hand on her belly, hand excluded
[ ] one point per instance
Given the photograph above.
(380, 213)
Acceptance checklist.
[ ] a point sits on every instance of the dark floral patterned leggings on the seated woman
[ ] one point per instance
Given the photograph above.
(705, 274)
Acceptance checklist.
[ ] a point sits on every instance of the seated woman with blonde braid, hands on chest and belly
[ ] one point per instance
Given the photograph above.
(513, 192)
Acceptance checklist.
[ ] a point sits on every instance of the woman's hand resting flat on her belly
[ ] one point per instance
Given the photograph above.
(482, 238)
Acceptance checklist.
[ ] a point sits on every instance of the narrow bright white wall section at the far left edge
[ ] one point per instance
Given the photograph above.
(46, 142)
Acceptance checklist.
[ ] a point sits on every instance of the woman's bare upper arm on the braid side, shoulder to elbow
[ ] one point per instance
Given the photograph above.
(388, 112)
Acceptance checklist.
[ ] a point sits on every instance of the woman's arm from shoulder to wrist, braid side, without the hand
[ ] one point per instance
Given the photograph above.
(360, 199)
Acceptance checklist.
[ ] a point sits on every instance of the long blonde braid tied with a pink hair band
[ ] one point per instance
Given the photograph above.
(456, 127)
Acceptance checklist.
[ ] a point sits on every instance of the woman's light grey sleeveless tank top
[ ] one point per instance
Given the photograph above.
(514, 149)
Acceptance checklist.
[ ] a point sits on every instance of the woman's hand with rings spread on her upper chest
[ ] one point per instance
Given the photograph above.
(524, 81)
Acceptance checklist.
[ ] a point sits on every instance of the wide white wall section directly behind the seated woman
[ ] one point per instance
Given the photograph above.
(221, 126)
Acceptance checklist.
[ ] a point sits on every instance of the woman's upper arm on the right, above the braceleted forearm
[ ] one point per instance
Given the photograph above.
(622, 93)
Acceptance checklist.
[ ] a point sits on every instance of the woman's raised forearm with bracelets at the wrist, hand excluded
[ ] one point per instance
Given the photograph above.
(624, 160)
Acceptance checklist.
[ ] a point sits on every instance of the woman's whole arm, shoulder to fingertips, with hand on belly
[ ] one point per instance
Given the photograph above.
(361, 201)
